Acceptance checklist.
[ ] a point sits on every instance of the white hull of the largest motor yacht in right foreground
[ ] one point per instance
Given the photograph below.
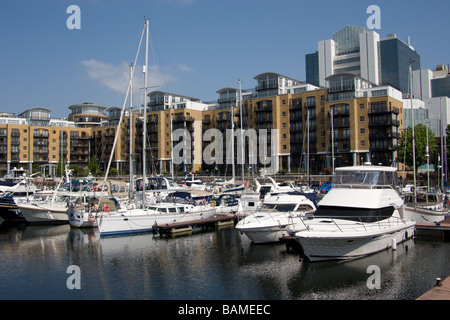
(342, 247)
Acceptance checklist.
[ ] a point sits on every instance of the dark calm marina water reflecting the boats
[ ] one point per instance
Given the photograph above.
(206, 265)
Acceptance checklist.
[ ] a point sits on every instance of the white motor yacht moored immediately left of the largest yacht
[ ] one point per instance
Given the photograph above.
(268, 224)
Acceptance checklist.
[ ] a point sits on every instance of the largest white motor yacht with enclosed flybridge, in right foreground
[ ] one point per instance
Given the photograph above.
(360, 215)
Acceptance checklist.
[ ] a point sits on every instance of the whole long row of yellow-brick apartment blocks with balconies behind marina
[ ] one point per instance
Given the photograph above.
(297, 127)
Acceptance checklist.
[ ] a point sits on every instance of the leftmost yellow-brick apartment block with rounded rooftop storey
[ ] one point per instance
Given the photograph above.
(33, 139)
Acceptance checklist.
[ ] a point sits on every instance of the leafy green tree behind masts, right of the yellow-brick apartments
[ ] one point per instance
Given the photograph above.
(406, 155)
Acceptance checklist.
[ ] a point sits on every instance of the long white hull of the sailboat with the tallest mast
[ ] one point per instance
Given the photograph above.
(141, 222)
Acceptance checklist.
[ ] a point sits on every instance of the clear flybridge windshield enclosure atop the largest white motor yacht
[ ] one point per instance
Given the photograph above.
(361, 178)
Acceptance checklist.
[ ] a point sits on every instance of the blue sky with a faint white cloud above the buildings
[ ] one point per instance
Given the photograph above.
(197, 46)
